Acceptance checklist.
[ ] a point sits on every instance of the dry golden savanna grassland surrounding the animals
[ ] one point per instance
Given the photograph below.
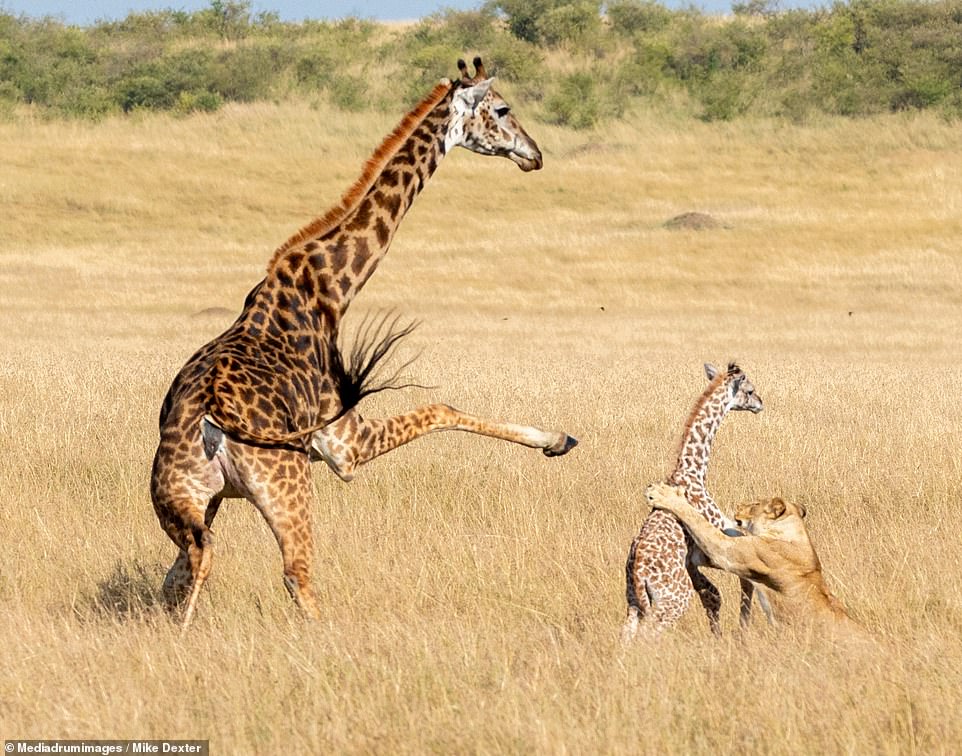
(472, 591)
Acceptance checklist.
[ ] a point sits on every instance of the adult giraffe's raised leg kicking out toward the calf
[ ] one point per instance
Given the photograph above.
(352, 441)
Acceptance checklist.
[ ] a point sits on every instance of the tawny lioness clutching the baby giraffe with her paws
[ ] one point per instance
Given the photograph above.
(776, 552)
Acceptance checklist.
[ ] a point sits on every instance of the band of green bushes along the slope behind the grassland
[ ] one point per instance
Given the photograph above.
(582, 64)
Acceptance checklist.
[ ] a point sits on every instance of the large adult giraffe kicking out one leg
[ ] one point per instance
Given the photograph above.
(249, 410)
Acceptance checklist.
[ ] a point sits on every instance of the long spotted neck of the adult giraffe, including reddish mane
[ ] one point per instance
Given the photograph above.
(325, 265)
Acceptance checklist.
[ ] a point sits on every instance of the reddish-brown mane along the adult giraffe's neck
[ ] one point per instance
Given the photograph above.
(372, 169)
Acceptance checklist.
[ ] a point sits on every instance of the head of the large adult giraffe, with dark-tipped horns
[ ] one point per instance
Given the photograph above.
(482, 122)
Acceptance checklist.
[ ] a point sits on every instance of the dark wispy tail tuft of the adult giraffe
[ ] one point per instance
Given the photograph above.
(374, 342)
